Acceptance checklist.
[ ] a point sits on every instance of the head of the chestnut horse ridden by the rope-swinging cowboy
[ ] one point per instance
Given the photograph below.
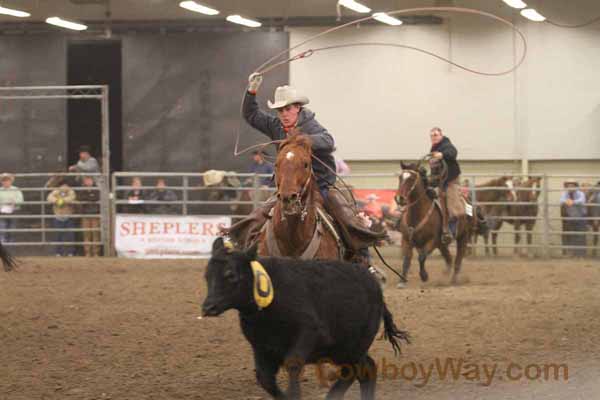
(293, 172)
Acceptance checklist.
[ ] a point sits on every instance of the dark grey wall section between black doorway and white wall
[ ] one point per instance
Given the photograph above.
(182, 94)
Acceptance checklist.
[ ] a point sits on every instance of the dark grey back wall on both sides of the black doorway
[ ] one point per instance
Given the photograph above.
(181, 99)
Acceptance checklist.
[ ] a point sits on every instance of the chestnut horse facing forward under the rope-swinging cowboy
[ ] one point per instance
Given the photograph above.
(298, 227)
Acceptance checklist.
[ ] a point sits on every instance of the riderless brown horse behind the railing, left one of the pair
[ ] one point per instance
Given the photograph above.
(494, 191)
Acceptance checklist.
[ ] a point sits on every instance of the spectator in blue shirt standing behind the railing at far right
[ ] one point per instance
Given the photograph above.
(572, 202)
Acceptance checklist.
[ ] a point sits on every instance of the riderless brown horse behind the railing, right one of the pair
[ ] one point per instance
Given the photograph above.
(524, 214)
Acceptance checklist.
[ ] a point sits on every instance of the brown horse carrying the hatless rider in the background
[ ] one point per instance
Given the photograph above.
(422, 225)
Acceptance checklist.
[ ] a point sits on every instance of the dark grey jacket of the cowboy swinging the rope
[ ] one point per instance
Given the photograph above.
(323, 144)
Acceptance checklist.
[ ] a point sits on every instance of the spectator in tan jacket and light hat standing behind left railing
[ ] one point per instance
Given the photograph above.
(62, 200)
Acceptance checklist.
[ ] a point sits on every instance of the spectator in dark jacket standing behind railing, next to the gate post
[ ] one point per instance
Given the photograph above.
(89, 196)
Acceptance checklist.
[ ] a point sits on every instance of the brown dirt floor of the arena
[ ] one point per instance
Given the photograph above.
(74, 328)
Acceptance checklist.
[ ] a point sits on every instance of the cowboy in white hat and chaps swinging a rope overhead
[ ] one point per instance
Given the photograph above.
(294, 118)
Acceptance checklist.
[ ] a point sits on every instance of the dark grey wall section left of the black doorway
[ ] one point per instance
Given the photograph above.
(32, 132)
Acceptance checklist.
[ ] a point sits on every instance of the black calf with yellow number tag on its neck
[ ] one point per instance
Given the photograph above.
(320, 310)
